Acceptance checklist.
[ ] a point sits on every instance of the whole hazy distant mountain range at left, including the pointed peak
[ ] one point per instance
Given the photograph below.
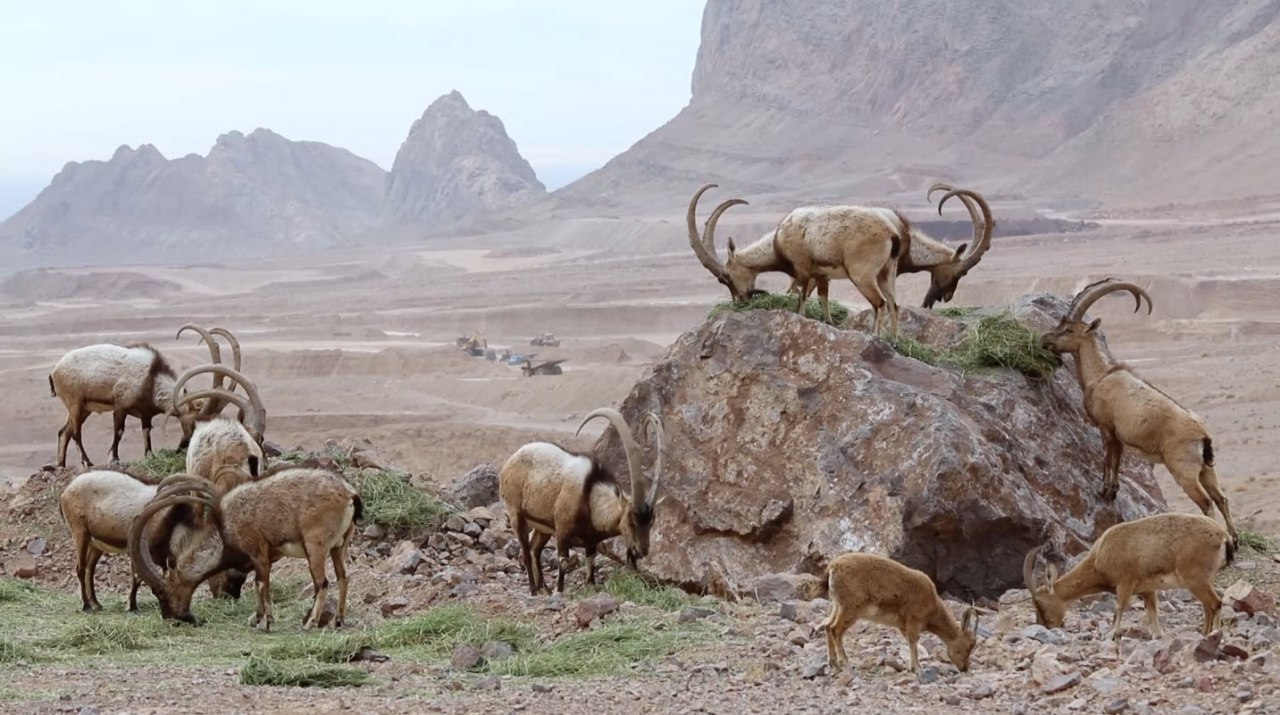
(264, 195)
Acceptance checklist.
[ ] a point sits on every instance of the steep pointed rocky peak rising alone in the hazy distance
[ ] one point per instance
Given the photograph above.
(456, 163)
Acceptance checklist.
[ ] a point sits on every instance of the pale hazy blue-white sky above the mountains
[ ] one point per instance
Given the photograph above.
(574, 81)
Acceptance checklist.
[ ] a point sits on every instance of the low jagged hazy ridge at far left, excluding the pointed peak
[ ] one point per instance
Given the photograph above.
(254, 195)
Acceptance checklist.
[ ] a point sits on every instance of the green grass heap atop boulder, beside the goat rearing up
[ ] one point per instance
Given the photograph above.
(993, 342)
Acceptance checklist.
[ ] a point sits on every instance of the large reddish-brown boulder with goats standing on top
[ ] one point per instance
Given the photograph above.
(790, 442)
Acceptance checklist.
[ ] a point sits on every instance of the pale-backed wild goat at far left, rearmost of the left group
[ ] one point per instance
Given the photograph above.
(124, 379)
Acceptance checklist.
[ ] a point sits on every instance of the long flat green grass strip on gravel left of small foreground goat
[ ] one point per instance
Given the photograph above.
(605, 650)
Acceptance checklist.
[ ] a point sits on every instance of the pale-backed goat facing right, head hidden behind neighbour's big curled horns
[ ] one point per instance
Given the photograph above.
(99, 508)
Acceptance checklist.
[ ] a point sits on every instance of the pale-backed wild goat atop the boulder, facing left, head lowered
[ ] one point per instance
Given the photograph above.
(813, 242)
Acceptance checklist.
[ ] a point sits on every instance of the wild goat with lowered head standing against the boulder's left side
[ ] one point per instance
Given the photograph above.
(551, 492)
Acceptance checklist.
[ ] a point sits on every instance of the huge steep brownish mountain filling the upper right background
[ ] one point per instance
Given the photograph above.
(1132, 100)
